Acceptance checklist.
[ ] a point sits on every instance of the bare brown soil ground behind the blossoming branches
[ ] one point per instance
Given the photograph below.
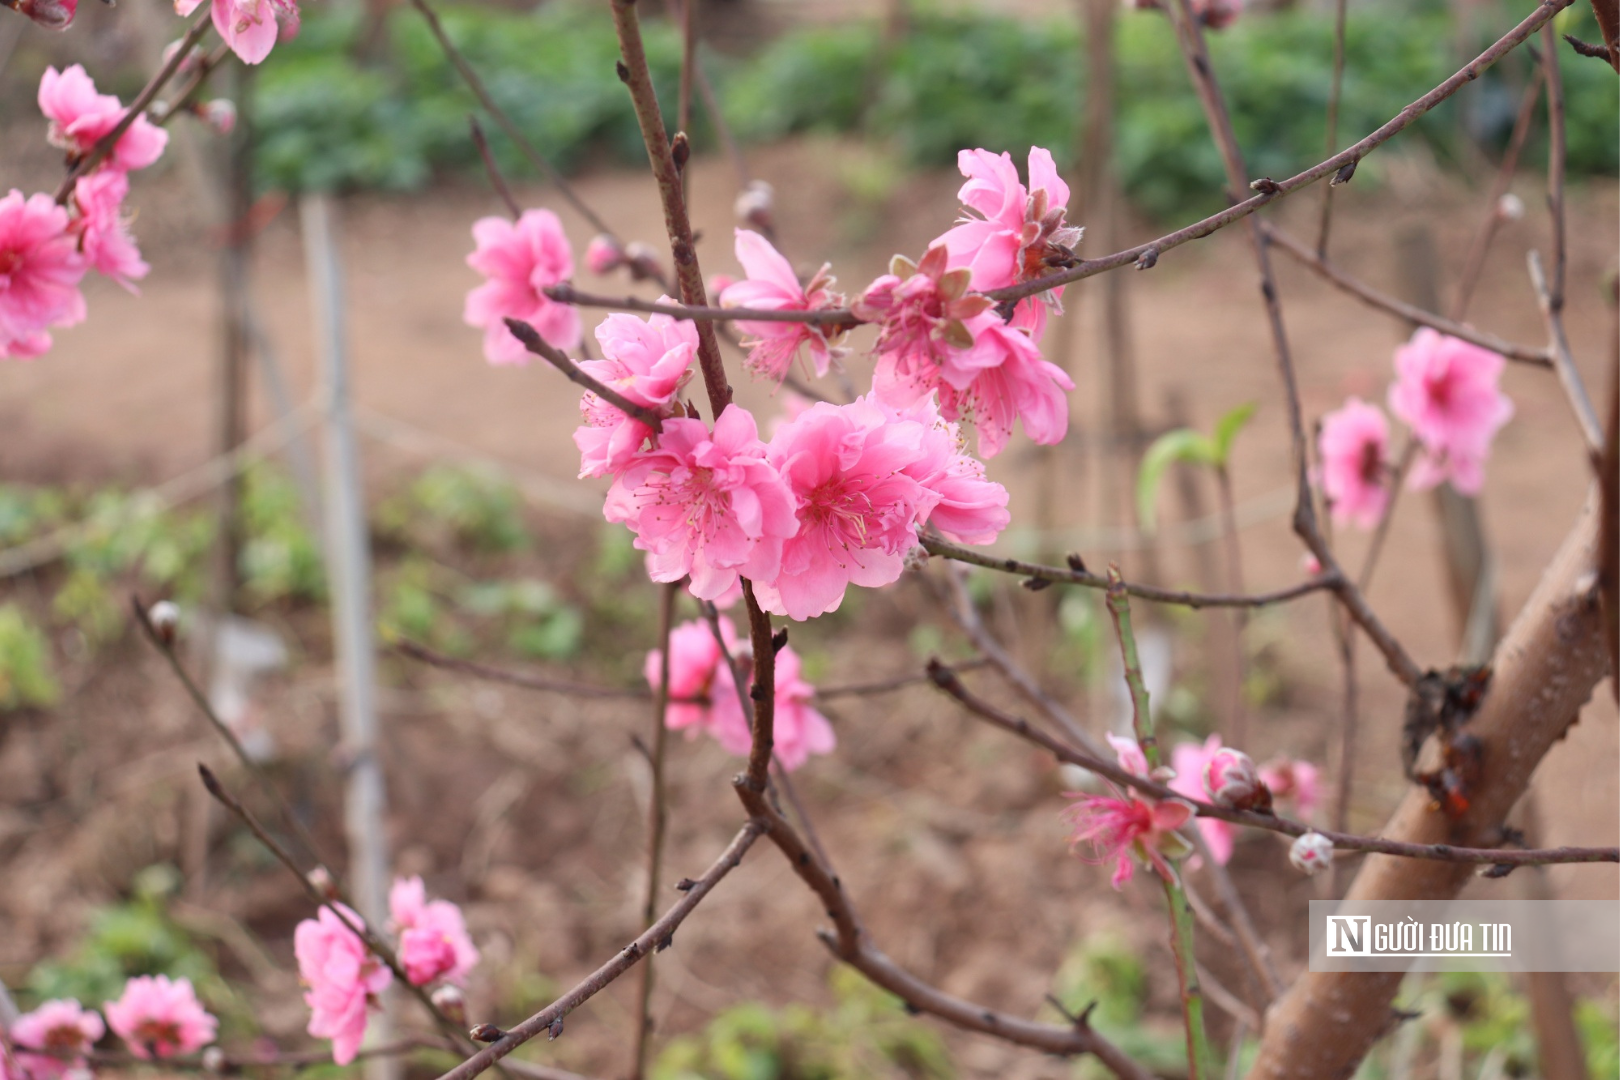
(531, 807)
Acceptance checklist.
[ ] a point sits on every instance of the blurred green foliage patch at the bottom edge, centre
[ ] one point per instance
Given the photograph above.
(866, 1034)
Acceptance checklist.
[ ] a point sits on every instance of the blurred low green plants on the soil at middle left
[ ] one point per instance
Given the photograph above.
(443, 576)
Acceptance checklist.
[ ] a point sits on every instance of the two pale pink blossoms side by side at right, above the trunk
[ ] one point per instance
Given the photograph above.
(1449, 394)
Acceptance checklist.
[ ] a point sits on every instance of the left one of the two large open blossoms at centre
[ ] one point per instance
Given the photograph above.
(707, 504)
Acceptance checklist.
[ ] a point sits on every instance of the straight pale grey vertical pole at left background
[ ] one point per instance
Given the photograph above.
(349, 569)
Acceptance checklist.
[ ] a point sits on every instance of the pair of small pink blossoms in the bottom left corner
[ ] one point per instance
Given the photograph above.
(156, 1018)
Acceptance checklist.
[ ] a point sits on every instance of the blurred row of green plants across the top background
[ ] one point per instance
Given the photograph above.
(950, 82)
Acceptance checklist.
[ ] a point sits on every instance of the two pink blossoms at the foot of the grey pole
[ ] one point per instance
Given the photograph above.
(343, 977)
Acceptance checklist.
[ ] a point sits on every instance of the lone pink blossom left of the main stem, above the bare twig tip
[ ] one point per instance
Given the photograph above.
(521, 260)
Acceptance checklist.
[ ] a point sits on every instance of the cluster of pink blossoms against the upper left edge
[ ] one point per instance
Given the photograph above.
(46, 250)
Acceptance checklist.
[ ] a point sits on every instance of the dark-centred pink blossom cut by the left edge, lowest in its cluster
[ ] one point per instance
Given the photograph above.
(40, 274)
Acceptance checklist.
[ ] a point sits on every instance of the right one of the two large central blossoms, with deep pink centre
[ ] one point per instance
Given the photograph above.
(858, 508)
